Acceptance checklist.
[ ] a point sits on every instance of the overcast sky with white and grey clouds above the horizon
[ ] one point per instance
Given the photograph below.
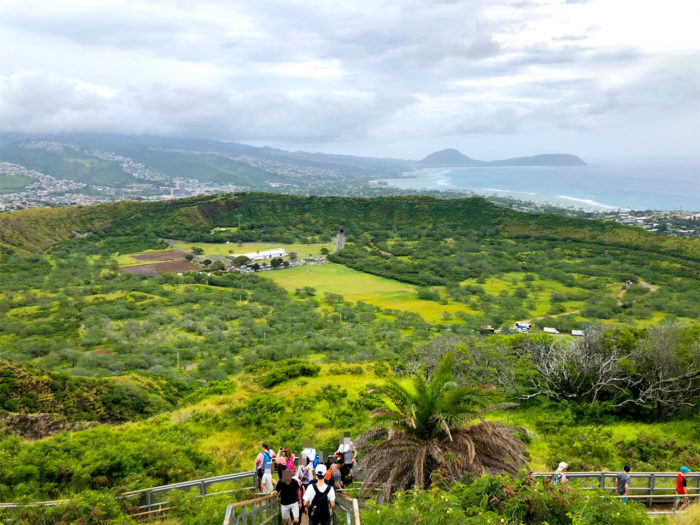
(598, 78)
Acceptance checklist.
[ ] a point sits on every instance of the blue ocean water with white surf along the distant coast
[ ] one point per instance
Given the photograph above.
(659, 185)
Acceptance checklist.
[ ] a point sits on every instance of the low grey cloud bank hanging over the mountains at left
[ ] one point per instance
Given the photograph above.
(32, 102)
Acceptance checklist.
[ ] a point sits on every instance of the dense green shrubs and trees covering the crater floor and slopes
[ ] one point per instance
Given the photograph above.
(206, 364)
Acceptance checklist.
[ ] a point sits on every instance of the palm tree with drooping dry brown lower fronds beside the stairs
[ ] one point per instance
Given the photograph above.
(431, 428)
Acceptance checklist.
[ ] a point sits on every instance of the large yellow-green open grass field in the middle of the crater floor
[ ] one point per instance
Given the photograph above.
(358, 286)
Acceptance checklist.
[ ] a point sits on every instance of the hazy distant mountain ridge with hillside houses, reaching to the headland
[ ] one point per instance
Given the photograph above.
(88, 169)
